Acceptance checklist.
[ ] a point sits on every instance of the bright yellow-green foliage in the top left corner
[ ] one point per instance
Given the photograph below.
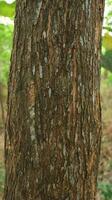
(6, 9)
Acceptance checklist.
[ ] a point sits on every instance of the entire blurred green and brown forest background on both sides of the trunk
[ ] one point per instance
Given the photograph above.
(7, 9)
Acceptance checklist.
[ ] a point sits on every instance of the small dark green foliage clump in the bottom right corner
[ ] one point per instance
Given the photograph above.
(106, 190)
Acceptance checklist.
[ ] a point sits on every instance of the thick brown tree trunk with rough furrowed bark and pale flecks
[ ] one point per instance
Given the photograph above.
(53, 128)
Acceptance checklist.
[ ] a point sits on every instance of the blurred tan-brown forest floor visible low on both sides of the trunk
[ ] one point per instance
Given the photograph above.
(105, 169)
